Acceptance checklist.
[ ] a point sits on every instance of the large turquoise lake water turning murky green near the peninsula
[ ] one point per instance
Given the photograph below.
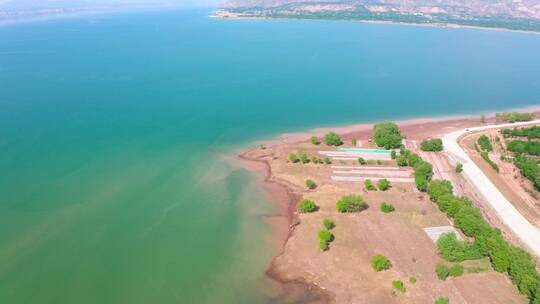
(115, 132)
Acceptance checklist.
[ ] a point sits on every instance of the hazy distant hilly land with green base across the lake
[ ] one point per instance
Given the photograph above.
(509, 14)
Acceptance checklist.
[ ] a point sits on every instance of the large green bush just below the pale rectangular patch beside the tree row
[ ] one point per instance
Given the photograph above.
(454, 250)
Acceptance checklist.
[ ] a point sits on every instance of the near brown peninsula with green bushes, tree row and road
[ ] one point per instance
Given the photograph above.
(389, 213)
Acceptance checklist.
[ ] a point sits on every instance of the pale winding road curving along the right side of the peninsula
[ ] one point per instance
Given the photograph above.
(527, 232)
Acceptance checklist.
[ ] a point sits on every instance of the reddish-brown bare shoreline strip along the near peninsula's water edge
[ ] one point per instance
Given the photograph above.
(286, 203)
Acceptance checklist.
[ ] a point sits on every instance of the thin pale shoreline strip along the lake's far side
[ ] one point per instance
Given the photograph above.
(215, 14)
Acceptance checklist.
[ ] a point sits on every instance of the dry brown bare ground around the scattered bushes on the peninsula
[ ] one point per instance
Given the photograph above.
(345, 269)
